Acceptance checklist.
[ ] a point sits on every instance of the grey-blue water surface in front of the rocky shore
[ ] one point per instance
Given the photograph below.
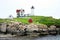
(48, 37)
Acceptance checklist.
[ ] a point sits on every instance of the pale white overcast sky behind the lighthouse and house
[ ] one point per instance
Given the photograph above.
(42, 7)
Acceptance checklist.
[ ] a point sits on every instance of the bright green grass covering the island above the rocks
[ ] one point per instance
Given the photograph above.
(37, 20)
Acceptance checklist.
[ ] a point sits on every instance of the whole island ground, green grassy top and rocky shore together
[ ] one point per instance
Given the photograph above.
(35, 26)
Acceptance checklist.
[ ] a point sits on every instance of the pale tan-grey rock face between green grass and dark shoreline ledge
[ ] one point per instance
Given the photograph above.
(20, 28)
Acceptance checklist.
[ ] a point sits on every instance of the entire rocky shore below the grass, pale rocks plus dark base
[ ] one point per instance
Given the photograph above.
(20, 29)
